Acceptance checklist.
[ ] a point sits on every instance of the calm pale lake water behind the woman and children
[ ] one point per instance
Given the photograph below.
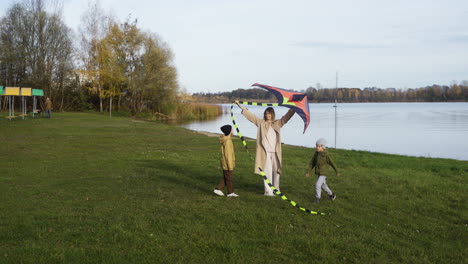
(415, 129)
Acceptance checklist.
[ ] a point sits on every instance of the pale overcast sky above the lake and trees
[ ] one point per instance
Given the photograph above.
(224, 45)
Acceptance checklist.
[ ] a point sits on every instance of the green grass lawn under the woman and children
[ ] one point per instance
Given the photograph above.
(84, 188)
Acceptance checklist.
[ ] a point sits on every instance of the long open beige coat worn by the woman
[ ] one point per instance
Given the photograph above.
(263, 125)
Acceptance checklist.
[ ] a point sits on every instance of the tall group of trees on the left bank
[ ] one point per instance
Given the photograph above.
(105, 65)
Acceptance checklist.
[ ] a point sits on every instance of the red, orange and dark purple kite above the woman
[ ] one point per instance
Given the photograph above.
(294, 100)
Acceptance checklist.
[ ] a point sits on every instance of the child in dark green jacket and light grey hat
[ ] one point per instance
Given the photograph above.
(321, 161)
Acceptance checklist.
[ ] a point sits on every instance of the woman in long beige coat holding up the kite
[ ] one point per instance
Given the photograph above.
(268, 150)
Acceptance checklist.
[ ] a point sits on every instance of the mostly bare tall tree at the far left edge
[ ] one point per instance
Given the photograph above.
(35, 44)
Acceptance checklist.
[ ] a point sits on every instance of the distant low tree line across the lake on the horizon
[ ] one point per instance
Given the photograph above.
(435, 93)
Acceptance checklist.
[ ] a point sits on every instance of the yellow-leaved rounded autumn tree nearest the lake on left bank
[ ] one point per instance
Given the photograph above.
(127, 61)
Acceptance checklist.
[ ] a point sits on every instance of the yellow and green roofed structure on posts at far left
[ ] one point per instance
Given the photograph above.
(10, 93)
